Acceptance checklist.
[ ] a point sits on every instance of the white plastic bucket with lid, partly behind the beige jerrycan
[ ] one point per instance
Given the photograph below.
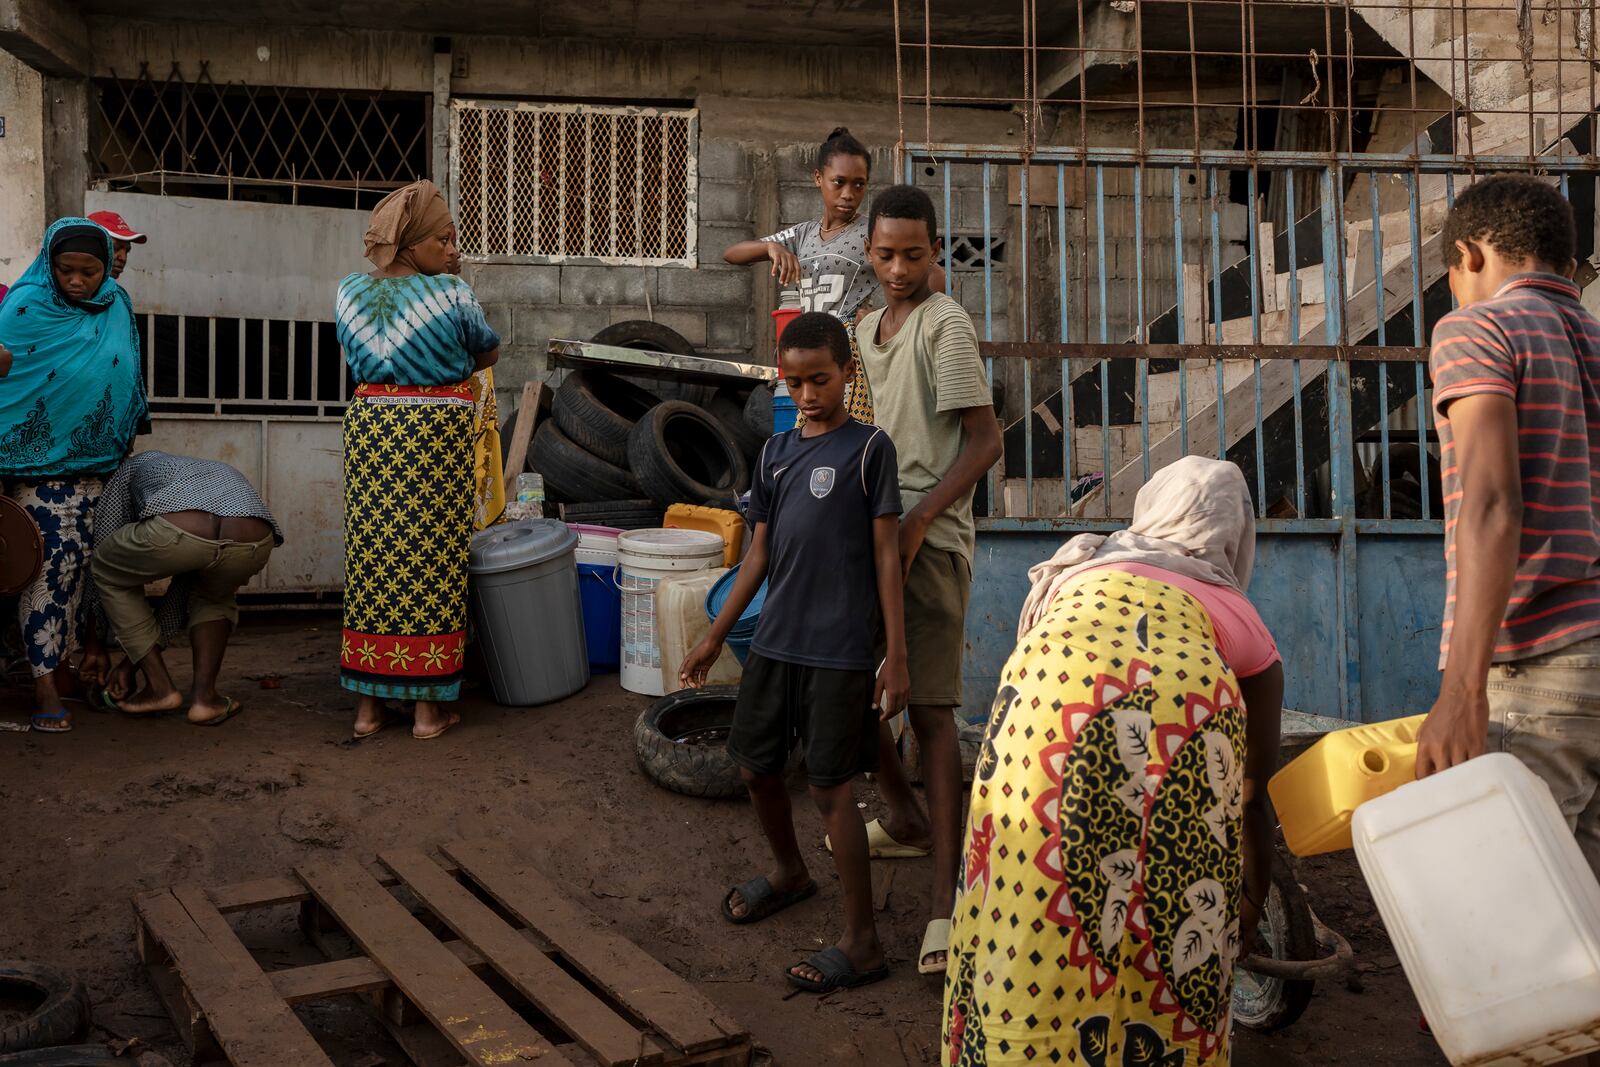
(644, 559)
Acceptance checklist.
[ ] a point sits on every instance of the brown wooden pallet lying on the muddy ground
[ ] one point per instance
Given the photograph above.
(574, 991)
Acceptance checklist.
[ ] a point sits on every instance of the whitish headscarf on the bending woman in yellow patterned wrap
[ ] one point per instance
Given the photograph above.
(1193, 519)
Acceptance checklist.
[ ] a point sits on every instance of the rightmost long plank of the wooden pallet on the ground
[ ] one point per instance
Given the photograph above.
(620, 967)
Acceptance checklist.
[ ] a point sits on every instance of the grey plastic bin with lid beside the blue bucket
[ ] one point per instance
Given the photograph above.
(529, 612)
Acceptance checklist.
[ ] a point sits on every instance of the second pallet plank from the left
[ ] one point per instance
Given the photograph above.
(479, 1025)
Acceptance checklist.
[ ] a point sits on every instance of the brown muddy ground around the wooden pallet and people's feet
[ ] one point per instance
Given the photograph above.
(126, 805)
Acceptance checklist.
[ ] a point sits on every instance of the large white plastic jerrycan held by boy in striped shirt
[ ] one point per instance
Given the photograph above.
(1492, 909)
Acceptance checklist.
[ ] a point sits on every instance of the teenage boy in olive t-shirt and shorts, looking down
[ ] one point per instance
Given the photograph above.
(934, 399)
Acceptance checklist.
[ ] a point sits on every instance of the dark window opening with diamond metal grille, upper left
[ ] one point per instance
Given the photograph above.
(196, 137)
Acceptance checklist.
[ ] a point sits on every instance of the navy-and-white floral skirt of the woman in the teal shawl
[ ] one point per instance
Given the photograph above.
(50, 610)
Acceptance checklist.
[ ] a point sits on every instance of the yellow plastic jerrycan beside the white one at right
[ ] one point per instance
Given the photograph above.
(1318, 794)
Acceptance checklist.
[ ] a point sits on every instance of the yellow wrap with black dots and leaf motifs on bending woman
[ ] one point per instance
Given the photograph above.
(1097, 921)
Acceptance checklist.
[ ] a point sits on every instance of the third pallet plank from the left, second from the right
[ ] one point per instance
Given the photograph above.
(548, 988)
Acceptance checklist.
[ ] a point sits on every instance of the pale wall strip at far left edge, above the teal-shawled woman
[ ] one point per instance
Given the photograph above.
(22, 167)
